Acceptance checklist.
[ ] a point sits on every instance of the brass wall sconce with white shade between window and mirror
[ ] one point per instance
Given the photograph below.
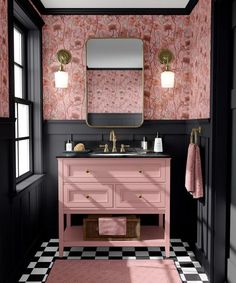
(61, 77)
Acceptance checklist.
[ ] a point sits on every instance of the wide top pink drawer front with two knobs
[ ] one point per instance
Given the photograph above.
(116, 168)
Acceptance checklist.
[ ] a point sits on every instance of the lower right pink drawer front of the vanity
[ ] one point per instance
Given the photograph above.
(140, 195)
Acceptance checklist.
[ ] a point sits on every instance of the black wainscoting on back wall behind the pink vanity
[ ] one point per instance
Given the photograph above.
(175, 136)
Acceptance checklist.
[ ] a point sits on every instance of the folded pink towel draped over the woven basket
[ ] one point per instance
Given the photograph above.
(112, 226)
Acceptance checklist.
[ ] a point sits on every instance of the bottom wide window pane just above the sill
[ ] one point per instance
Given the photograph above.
(24, 157)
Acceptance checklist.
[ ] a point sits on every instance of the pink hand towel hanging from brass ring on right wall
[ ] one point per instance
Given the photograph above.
(193, 175)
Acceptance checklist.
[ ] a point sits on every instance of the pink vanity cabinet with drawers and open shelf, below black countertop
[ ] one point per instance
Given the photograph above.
(139, 185)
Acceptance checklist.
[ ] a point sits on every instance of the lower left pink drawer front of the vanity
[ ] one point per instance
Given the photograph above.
(88, 195)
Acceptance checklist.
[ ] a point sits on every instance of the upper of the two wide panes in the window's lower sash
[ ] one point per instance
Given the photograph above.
(23, 120)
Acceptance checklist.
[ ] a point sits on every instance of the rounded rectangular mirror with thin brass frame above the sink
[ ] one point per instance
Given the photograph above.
(114, 82)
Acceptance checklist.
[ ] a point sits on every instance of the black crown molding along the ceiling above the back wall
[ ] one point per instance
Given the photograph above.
(114, 11)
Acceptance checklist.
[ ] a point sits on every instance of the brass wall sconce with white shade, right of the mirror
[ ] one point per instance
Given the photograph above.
(167, 77)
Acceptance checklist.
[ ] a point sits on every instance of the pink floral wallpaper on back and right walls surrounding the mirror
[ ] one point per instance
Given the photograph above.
(181, 34)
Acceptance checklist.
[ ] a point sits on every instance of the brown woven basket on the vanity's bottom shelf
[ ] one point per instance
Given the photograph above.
(91, 233)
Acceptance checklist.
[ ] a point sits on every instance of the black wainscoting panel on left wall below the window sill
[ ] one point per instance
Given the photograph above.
(27, 224)
